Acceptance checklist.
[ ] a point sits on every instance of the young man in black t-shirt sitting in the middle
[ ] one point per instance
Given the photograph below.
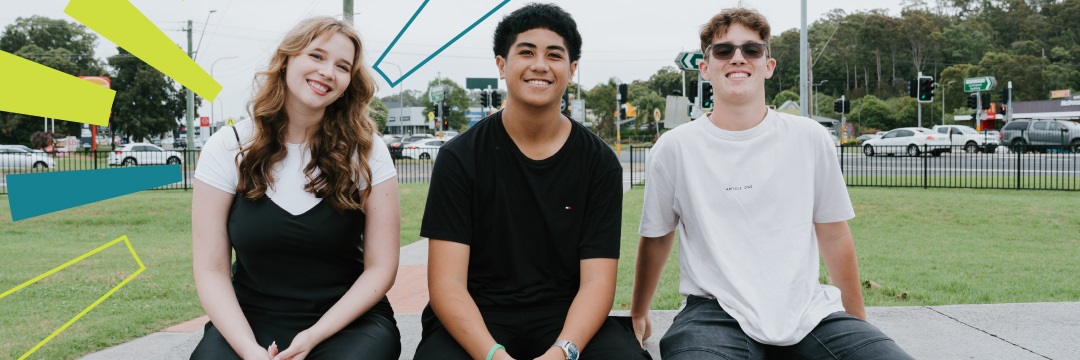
(524, 218)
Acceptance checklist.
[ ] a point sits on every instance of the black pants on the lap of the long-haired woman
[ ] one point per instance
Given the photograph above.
(374, 336)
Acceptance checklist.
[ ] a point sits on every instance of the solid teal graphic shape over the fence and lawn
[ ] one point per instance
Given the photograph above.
(39, 194)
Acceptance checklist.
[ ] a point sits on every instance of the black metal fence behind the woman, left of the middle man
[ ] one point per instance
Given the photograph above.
(409, 170)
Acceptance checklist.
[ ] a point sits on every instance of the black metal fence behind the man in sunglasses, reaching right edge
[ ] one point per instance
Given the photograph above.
(1032, 167)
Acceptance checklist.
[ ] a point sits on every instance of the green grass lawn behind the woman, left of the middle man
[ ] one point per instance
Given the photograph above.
(159, 226)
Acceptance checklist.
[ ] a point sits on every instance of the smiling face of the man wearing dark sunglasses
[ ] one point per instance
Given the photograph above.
(739, 81)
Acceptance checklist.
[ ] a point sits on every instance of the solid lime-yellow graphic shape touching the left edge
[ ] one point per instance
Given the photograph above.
(37, 90)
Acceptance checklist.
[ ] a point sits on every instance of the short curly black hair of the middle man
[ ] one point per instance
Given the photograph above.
(538, 16)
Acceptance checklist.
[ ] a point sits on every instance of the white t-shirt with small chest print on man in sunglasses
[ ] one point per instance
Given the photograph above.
(746, 204)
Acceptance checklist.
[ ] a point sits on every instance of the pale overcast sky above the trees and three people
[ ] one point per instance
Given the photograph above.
(628, 41)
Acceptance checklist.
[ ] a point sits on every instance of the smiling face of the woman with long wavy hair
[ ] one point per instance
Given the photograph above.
(320, 74)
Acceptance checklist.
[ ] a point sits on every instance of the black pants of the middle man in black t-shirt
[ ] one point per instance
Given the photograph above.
(530, 334)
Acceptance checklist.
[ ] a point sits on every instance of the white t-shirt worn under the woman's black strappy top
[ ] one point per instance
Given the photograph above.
(218, 167)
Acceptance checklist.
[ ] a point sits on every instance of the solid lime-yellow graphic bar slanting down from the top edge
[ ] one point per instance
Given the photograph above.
(126, 26)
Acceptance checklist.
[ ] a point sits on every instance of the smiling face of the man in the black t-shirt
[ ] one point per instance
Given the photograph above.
(537, 70)
